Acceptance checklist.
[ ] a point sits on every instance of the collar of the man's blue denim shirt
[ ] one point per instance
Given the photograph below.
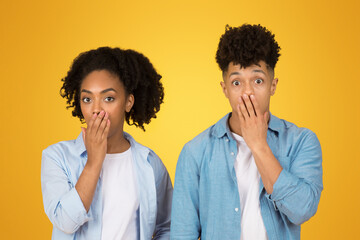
(222, 126)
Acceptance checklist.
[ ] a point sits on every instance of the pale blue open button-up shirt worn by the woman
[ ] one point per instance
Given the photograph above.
(61, 166)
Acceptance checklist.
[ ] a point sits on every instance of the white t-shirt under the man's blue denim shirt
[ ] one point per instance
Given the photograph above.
(248, 179)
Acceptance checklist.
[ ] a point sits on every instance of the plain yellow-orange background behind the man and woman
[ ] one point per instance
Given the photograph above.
(318, 88)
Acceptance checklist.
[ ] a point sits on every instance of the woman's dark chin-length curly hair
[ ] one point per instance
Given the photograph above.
(133, 69)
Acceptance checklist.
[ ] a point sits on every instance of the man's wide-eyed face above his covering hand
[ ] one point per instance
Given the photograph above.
(256, 80)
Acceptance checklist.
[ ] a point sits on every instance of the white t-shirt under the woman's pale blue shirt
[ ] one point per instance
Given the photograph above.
(120, 219)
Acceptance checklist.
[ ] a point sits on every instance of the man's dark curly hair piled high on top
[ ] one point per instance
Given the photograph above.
(247, 45)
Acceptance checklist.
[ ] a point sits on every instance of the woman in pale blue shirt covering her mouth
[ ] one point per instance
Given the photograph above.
(105, 185)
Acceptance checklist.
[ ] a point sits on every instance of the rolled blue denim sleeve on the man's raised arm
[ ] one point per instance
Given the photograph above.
(296, 193)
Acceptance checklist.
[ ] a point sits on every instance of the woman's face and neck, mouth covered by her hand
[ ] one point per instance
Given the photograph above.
(103, 91)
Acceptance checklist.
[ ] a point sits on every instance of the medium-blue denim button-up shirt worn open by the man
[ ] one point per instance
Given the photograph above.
(206, 200)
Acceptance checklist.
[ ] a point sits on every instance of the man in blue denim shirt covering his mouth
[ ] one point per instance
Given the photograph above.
(251, 175)
